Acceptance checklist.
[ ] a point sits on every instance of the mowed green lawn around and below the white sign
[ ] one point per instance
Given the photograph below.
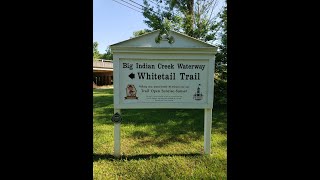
(157, 143)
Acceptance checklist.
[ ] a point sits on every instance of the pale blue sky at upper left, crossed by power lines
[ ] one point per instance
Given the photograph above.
(114, 22)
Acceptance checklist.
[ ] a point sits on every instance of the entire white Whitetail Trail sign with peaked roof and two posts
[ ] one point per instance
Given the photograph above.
(163, 75)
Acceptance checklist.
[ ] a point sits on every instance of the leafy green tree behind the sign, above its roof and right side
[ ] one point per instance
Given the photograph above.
(194, 18)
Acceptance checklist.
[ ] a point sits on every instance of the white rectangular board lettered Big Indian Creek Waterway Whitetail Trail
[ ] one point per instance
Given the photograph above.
(157, 83)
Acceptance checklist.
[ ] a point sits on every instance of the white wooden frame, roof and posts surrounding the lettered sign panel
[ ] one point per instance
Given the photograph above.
(184, 49)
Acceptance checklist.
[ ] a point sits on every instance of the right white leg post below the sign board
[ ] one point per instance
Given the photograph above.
(207, 130)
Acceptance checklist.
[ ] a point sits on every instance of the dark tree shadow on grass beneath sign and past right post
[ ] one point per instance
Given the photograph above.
(172, 125)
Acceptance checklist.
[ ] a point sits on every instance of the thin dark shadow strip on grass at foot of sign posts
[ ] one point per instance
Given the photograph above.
(110, 157)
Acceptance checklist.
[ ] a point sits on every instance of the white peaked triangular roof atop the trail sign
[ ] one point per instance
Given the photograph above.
(148, 40)
